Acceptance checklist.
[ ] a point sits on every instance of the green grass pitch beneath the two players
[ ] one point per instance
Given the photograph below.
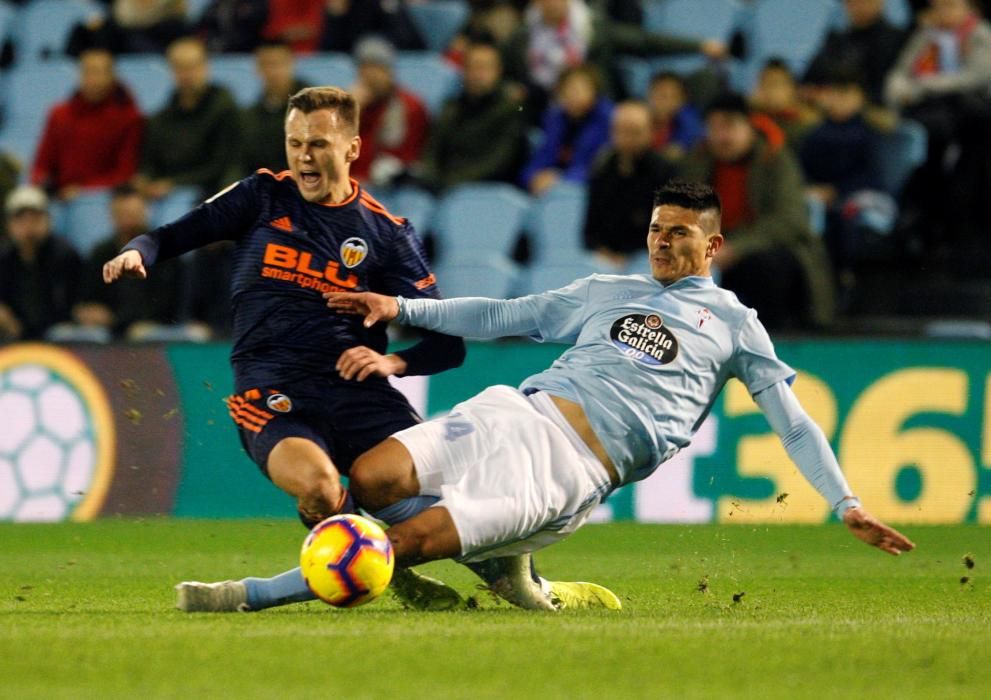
(86, 612)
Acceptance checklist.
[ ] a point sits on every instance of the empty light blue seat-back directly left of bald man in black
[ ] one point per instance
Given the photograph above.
(556, 225)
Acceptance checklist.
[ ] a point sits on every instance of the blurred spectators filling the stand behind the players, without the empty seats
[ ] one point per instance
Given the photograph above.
(812, 220)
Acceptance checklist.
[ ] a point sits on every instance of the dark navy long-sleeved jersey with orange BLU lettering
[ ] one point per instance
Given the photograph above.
(288, 252)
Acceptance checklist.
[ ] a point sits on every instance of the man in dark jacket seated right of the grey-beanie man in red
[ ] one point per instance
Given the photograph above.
(480, 134)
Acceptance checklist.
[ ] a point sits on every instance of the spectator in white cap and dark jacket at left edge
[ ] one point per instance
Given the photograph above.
(39, 272)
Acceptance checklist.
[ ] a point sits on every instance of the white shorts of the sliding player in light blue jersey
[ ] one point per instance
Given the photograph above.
(510, 470)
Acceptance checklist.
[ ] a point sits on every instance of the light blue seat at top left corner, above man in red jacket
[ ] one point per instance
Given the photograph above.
(43, 27)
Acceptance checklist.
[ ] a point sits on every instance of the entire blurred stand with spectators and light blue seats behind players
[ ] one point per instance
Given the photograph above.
(848, 140)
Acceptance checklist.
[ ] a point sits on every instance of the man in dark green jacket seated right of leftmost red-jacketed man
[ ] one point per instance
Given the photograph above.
(193, 140)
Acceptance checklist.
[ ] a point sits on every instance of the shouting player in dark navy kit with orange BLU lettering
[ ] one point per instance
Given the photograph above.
(311, 386)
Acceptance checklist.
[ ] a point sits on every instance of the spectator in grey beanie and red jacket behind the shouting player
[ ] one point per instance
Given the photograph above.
(394, 122)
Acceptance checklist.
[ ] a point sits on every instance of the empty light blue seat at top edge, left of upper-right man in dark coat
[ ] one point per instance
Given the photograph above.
(790, 29)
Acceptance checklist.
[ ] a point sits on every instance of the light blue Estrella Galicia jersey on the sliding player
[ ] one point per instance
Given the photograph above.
(647, 361)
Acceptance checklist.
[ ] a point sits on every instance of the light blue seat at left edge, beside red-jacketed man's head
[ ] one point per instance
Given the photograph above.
(32, 89)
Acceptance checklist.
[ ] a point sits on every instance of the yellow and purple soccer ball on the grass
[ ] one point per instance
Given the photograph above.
(347, 561)
